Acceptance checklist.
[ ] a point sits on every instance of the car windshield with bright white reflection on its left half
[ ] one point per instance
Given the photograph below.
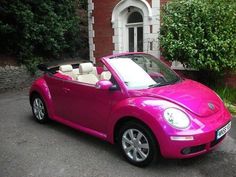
(140, 71)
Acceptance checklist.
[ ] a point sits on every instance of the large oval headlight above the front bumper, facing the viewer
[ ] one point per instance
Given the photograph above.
(176, 118)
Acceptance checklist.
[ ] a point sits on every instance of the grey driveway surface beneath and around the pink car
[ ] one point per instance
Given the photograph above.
(31, 149)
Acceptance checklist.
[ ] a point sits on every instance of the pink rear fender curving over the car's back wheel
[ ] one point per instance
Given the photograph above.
(40, 86)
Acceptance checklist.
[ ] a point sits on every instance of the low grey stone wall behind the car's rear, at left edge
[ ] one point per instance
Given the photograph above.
(14, 77)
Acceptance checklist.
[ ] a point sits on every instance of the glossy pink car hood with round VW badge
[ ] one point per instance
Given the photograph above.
(189, 94)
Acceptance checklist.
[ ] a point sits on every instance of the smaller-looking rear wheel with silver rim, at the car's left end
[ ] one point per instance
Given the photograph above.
(39, 109)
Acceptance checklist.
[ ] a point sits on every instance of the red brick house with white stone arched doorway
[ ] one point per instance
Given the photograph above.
(123, 26)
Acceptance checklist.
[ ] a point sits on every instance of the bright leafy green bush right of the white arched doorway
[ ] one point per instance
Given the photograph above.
(200, 33)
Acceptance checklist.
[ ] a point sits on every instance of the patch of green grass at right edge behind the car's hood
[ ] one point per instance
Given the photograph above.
(228, 95)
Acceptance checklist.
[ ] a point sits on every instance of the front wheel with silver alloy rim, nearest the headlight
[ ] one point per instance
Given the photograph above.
(137, 144)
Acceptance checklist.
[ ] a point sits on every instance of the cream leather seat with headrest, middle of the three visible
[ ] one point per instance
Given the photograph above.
(86, 75)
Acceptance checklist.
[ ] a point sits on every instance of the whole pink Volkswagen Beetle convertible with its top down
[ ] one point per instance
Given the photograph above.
(136, 101)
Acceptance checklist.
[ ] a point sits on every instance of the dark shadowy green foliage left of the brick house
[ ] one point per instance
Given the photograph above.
(45, 28)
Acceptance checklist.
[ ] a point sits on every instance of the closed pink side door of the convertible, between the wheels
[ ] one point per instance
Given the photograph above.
(88, 106)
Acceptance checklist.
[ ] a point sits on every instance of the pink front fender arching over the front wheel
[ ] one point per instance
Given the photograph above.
(138, 109)
